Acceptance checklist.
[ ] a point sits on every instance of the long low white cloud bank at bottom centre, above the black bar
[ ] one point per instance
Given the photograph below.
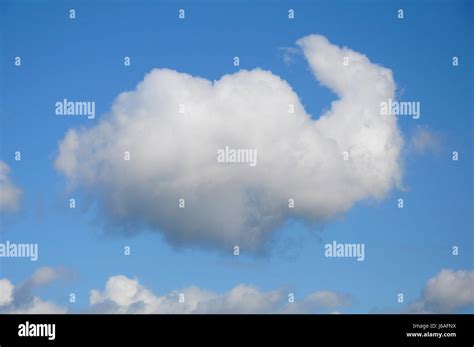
(127, 295)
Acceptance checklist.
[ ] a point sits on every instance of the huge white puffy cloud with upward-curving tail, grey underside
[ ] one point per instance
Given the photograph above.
(173, 124)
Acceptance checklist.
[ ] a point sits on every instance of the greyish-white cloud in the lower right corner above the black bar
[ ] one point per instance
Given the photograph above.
(447, 292)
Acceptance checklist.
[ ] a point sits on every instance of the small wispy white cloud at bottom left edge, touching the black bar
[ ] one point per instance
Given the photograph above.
(21, 298)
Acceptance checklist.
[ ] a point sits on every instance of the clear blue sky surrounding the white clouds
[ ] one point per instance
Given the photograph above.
(83, 60)
